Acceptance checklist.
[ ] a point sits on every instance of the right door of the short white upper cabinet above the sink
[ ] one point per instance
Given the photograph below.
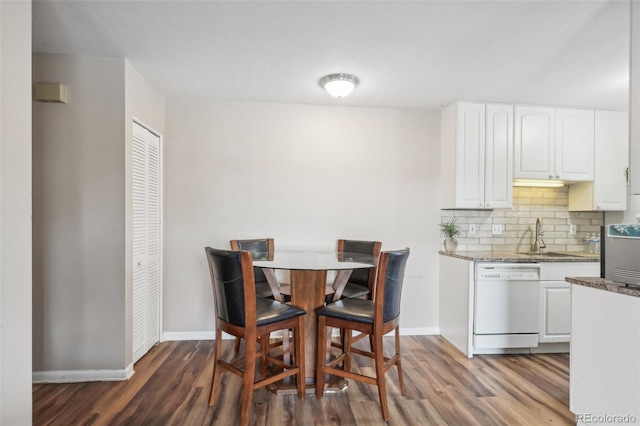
(574, 140)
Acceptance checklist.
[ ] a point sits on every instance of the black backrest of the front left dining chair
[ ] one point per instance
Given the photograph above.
(233, 285)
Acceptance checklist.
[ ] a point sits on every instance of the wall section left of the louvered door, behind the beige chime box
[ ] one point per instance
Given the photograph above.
(79, 216)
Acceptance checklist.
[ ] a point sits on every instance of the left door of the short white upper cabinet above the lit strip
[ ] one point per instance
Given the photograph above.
(534, 141)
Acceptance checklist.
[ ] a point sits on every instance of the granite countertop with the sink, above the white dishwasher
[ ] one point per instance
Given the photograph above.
(513, 257)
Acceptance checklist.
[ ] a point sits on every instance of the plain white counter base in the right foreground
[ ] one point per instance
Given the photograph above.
(604, 375)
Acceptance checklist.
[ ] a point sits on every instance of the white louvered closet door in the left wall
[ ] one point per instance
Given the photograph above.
(146, 240)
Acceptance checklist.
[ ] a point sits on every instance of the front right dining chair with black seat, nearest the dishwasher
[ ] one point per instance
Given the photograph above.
(373, 318)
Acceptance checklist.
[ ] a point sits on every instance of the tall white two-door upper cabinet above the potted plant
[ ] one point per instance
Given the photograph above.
(476, 155)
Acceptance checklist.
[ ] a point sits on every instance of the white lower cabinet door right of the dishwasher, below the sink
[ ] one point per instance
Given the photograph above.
(555, 311)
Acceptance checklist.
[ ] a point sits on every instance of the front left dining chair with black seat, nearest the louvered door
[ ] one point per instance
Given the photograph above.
(240, 313)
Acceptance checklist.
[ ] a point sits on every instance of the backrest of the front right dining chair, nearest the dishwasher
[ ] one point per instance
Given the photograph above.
(389, 281)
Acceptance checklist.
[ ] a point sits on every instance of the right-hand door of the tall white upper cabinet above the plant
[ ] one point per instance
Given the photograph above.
(498, 170)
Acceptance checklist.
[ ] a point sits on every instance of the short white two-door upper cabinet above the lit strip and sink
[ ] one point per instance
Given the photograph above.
(553, 143)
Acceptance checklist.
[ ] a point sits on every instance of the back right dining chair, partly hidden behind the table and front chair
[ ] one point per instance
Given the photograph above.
(361, 281)
